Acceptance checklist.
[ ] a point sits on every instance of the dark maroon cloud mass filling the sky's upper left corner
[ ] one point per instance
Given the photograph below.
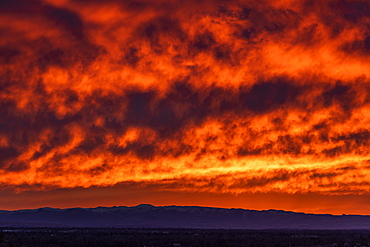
(61, 39)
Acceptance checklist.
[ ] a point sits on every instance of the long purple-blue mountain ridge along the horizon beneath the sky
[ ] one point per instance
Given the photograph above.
(149, 216)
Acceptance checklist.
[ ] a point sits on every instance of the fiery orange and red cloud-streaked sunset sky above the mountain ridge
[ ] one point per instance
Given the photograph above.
(222, 103)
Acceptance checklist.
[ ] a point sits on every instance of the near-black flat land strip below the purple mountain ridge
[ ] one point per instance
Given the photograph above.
(180, 237)
